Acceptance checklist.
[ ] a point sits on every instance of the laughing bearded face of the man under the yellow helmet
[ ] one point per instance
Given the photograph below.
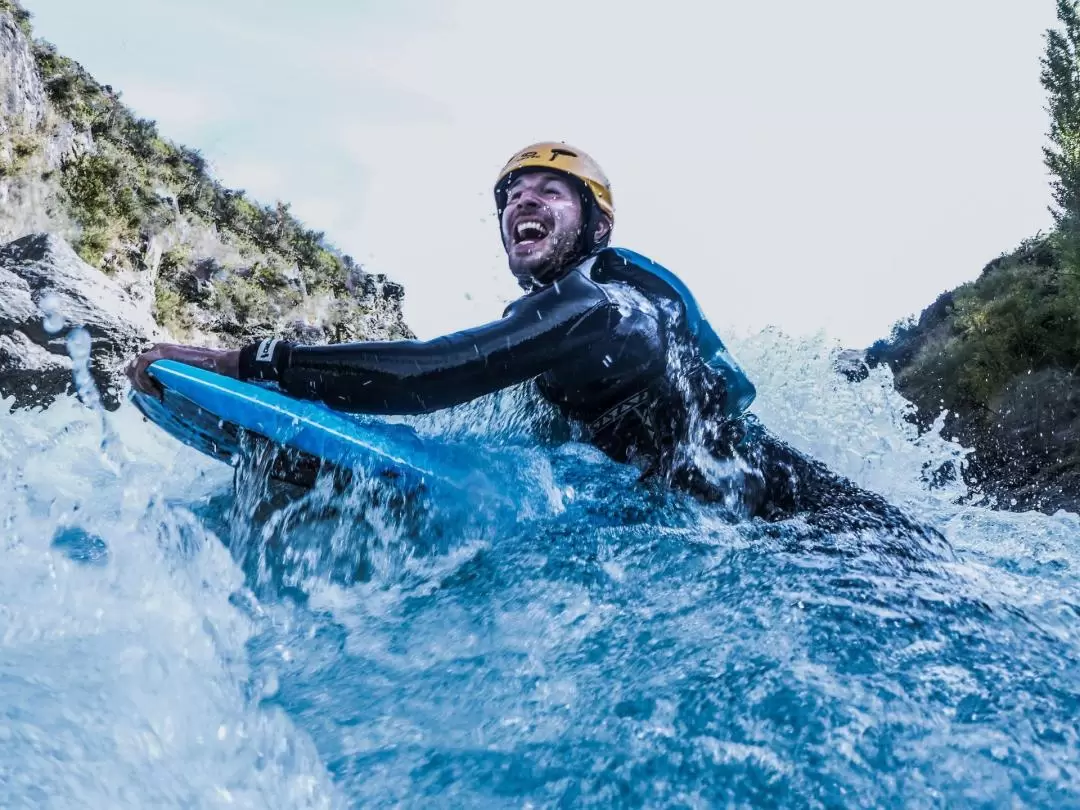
(542, 224)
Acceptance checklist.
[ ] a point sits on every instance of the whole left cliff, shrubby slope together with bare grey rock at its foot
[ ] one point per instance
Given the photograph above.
(158, 248)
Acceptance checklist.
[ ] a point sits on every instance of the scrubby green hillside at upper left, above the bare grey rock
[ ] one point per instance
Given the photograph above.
(212, 262)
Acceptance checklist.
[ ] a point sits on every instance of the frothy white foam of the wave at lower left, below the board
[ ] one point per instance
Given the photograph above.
(124, 684)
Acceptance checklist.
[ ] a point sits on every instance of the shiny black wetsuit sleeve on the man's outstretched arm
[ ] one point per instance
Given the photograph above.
(538, 334)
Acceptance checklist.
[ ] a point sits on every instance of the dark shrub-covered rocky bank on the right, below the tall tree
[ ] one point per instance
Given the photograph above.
(1002, 356)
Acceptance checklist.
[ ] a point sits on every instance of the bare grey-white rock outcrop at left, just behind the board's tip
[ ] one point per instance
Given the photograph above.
(46, 291)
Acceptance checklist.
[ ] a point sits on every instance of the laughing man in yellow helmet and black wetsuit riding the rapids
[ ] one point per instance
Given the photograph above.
(616, 342)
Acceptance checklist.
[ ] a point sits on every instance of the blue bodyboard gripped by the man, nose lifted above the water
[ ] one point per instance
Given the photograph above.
(214, 414)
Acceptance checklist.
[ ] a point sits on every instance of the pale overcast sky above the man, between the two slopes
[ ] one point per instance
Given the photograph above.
(823, 168)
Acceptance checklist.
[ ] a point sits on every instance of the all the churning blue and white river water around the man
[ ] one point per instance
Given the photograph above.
(172, 638)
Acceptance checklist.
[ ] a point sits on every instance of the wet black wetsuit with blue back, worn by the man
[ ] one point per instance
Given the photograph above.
(620, 348)
